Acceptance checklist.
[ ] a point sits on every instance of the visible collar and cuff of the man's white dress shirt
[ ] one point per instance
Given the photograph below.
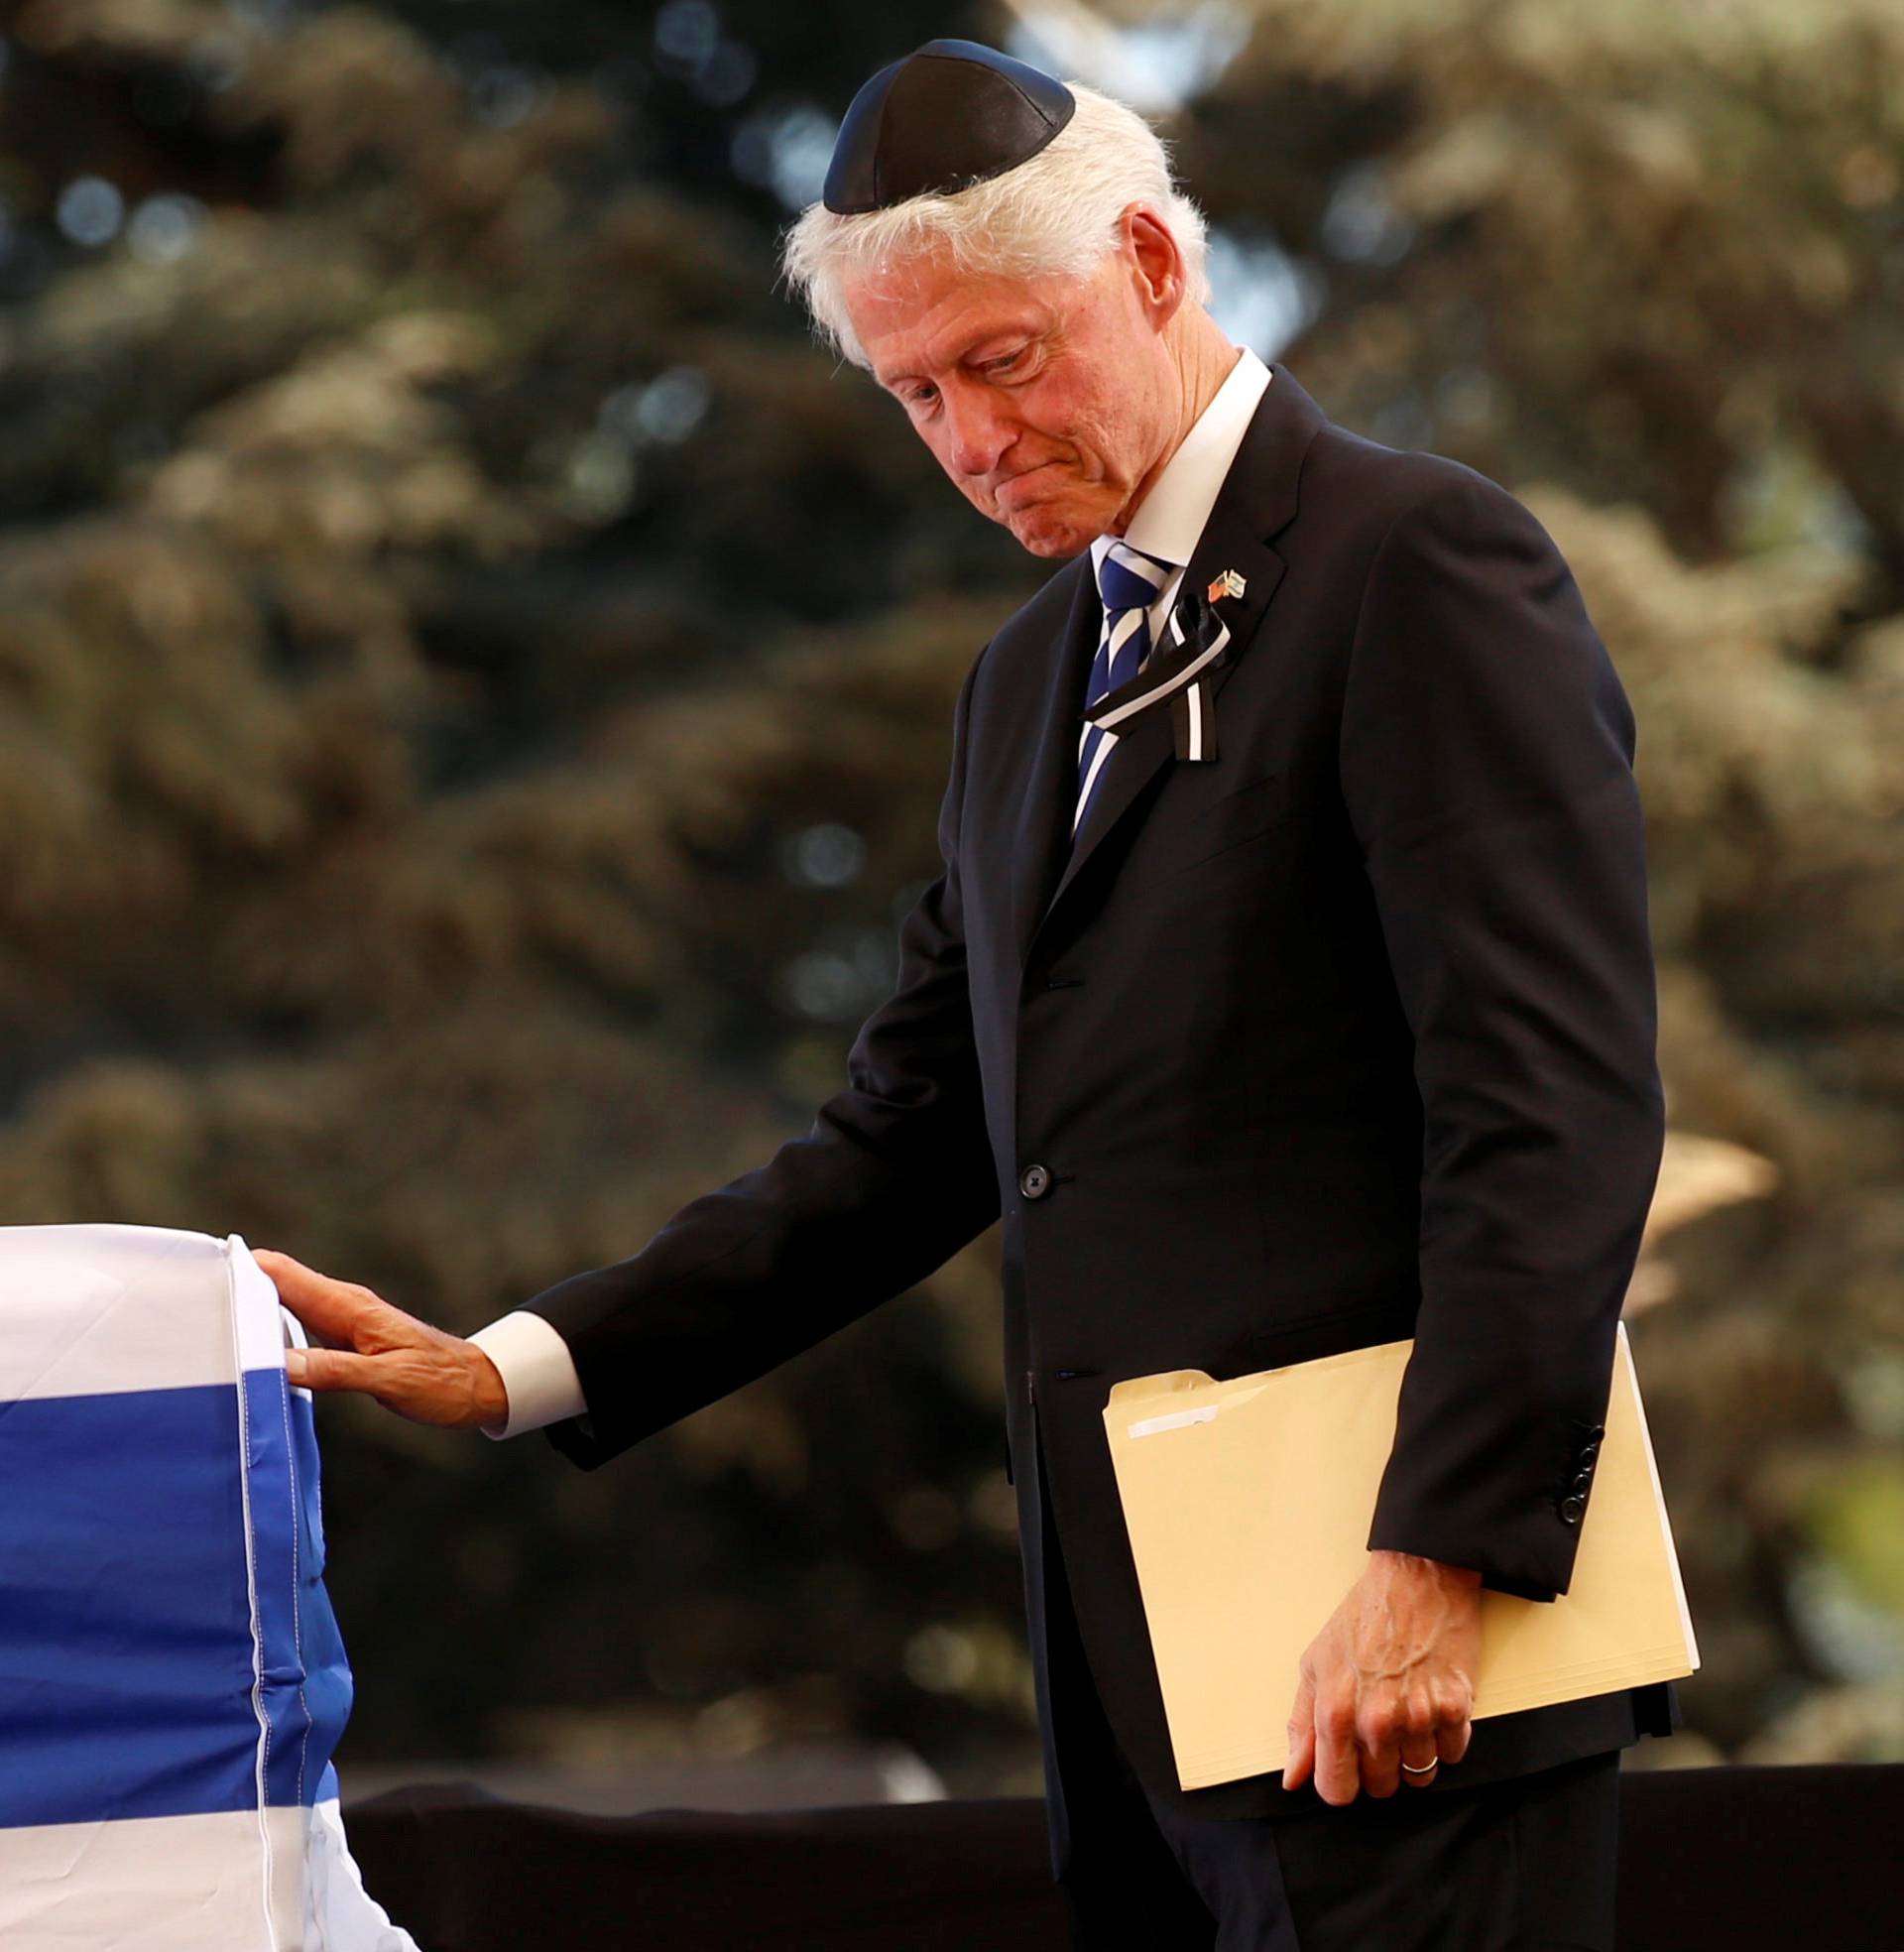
(539, 1373)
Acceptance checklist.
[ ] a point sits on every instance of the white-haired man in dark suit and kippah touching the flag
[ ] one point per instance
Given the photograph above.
(1287, 989)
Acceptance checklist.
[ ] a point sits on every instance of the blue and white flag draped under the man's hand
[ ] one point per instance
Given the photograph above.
(173, 1682)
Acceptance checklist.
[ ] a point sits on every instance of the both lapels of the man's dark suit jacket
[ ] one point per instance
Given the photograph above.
(1257, 503)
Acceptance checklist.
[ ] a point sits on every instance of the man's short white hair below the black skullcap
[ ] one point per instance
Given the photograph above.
(1056, 214)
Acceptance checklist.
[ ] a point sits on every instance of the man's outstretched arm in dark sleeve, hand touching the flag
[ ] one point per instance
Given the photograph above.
(891, 1180)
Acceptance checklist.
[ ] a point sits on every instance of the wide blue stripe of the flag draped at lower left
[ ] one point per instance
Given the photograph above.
(126, 1645)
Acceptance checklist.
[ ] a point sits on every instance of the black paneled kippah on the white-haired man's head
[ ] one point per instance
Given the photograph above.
(949, 116)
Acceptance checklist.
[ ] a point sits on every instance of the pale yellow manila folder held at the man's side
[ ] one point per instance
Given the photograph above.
(1249, 1506)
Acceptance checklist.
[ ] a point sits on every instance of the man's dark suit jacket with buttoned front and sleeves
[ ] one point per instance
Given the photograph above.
(1343, 1037)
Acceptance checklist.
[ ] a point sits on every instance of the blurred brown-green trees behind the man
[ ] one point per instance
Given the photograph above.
(475, 694)
